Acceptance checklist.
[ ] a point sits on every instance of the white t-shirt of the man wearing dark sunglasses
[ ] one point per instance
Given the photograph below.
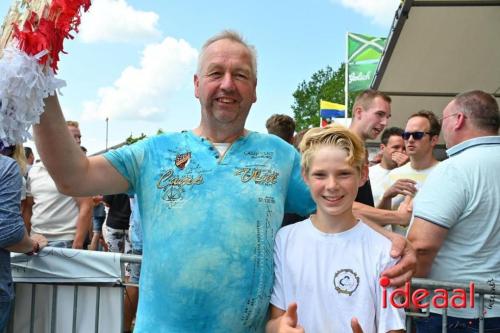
(405, 172)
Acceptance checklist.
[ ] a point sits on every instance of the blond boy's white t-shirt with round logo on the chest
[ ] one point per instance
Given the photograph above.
(334, 277)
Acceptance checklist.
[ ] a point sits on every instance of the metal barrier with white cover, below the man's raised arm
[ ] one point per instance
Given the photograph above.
(67, 306)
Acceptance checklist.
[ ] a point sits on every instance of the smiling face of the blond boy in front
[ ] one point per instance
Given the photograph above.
(333, 182)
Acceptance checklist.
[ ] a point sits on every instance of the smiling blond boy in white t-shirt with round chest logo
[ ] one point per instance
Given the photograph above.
(327, 268)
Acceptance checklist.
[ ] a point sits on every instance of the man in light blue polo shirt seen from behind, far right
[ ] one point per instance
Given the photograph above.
(456, 230)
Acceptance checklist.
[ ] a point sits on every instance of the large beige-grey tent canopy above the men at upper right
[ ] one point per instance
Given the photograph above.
(437, 49)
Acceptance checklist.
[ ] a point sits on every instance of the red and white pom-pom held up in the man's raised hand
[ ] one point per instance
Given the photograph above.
(34, 40)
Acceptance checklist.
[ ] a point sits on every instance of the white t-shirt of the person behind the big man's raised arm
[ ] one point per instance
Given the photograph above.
(54, 214)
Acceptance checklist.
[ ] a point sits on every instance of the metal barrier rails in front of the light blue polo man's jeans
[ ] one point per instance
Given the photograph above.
(480, 289)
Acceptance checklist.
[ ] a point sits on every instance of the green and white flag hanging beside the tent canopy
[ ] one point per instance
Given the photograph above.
(363, 55)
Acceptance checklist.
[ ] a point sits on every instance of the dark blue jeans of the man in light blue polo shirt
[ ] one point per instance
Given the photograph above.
(432, 324)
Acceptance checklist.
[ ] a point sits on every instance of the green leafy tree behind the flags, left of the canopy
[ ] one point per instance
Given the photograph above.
(325, 84)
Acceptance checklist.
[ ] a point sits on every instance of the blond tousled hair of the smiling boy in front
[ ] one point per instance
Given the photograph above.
(332, 135)
